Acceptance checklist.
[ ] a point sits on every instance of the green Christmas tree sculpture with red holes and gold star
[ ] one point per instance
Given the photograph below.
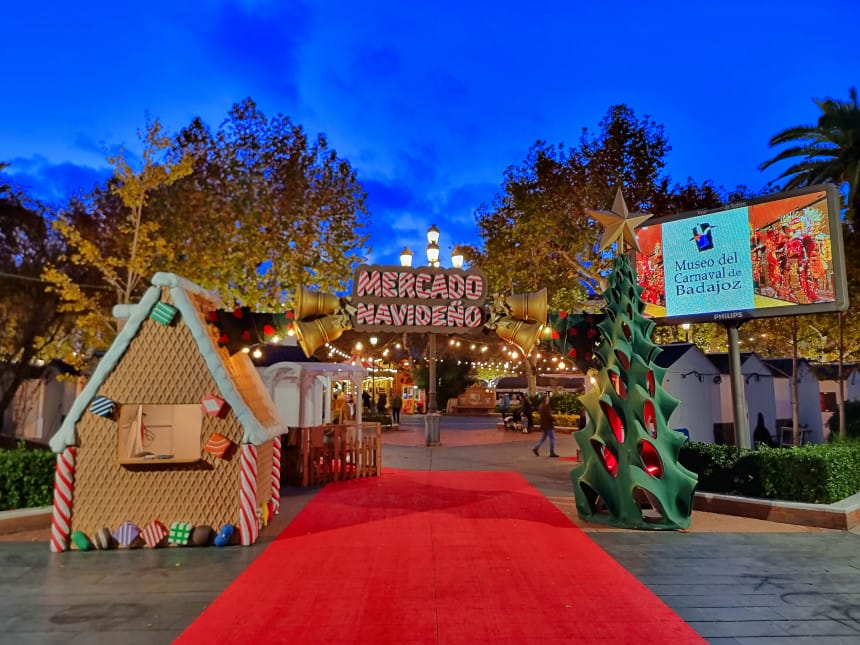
(629, 475)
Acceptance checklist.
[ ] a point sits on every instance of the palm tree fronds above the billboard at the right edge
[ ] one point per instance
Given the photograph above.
(828, 151)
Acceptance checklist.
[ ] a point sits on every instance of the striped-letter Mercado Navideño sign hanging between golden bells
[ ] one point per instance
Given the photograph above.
(429, 299)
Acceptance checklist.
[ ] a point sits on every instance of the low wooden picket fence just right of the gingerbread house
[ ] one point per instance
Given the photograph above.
(321, 454)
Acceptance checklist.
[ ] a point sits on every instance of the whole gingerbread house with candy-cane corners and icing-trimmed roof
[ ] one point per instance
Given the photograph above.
(171, 431)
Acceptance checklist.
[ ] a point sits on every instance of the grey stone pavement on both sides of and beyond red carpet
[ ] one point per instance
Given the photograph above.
(734, 580)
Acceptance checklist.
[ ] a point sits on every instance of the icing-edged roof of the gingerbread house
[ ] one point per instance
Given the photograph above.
(237, 379)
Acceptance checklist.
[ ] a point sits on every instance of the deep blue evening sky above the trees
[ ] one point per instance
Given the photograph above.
(430, 102)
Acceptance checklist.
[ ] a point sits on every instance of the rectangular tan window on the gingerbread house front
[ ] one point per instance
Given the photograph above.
(159, 433)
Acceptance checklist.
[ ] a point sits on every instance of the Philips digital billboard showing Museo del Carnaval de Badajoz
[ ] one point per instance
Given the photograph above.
(776, 256)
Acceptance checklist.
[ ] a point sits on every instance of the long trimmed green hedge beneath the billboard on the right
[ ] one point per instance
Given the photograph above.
(818, 474)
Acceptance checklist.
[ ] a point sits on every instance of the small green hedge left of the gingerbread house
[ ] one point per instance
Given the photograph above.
(26, 478)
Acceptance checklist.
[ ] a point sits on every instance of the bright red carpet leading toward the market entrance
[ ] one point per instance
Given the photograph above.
(435, 557)
